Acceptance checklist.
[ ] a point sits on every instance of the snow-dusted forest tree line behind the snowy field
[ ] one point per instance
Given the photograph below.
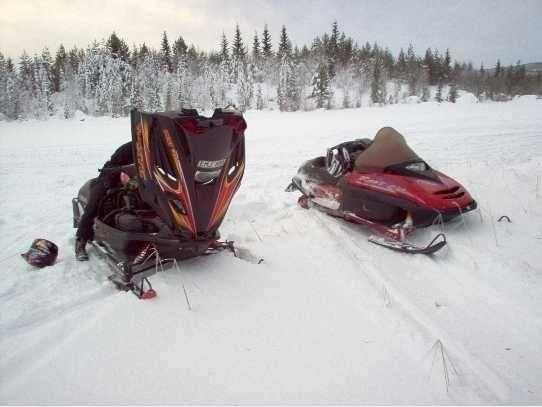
(109, 77)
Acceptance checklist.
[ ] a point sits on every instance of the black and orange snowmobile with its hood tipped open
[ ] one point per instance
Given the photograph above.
(169, 204)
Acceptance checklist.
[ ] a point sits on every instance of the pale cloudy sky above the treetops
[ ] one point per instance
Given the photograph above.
(477, 30)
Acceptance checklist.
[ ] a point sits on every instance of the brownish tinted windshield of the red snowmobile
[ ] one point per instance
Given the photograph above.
(388, 148)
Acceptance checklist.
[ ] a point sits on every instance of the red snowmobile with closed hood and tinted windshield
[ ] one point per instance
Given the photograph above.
(384, 185)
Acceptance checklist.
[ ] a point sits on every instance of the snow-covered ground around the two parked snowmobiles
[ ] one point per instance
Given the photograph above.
(327, 318)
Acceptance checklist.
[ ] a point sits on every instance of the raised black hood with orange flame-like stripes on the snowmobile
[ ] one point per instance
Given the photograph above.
(189, 166)
